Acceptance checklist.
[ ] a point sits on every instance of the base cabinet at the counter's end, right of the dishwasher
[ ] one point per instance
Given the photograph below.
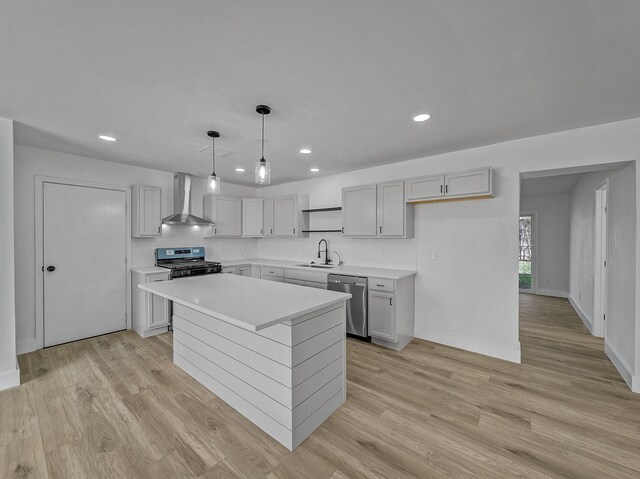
(391, 311)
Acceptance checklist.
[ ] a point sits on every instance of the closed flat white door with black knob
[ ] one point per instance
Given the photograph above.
(84, 262)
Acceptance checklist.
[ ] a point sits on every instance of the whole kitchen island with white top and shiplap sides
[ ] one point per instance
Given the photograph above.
(274, 352)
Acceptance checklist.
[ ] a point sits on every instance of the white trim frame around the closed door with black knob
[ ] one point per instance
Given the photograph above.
(39, 245)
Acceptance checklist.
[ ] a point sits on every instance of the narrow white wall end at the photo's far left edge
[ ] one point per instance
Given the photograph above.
(9, 374)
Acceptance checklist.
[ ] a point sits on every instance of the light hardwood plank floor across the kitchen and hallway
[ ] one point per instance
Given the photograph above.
(116, 406)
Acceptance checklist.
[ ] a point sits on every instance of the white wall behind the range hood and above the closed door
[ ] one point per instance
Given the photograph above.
(30, 162)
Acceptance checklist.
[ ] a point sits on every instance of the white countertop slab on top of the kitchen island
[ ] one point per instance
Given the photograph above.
(249, 303)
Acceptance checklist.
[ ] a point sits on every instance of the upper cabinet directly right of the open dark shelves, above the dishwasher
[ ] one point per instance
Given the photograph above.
(359, 211)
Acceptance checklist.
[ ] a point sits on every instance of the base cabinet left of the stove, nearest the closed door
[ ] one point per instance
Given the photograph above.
(151, 313)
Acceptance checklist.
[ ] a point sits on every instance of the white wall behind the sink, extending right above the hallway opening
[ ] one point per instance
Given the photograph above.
(468, 296)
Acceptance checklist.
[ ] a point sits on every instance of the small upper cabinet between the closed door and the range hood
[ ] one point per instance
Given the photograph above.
(146, 214)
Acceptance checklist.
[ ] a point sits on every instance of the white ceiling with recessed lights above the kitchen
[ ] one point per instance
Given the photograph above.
(342, 77)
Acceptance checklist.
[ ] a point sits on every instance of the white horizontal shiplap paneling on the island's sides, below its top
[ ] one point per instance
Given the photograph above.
(287, 379)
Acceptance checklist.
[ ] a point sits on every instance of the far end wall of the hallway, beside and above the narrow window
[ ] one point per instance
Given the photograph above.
(553, 233)
